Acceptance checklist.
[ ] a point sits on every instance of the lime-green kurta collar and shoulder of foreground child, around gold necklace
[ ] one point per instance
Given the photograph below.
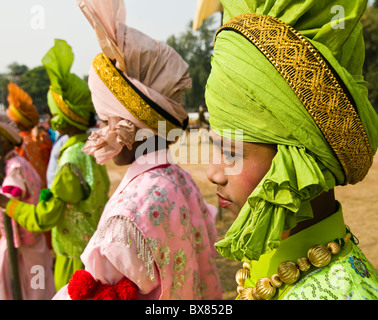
(349, 275)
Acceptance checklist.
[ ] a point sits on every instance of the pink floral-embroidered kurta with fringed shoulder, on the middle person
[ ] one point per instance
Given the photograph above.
(157, 231)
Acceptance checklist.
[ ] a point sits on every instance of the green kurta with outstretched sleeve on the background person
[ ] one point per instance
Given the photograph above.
(70, 209)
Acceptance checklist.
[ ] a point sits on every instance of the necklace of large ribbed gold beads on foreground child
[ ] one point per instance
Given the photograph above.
(287, 272)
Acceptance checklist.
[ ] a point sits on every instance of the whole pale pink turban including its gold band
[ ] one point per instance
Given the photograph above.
(135, 83)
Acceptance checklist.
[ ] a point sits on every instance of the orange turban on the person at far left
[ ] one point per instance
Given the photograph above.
(21, 108)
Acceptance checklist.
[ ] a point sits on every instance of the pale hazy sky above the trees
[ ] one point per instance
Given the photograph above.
(25, 36)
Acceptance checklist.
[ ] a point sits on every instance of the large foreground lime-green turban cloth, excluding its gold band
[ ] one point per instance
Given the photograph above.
(245, 91)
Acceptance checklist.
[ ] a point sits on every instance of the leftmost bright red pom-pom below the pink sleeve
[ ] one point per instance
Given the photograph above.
(82, 285)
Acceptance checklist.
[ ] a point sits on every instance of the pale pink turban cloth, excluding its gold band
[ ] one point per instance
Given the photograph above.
(153, 67)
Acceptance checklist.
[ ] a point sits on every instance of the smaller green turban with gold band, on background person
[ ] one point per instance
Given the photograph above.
(69, 97)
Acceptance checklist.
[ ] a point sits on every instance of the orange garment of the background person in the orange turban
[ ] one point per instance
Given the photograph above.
(29, 150)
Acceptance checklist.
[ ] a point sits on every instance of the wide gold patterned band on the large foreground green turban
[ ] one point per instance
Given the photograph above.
(316, 85)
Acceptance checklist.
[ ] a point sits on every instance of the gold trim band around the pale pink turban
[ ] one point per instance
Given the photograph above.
(126, 95)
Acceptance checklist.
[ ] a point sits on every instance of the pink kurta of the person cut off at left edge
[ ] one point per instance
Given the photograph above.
(34, 259)
